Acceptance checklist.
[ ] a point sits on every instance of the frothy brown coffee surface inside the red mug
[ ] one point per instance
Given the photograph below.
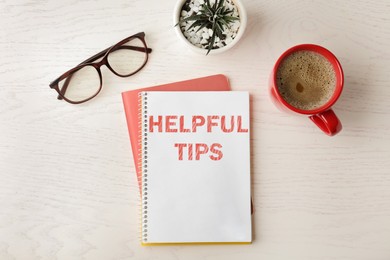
(306, 80)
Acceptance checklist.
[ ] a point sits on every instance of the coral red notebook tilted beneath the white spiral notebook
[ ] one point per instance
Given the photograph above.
(130, 101)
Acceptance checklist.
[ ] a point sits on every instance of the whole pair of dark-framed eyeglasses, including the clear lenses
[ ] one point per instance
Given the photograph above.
(84, 82)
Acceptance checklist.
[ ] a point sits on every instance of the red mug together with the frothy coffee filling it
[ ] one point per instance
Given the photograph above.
(307, 79)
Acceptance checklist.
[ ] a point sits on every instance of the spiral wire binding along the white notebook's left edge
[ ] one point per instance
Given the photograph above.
(142, 163)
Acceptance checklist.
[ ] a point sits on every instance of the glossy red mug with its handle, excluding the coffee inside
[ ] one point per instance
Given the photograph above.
(323, 117)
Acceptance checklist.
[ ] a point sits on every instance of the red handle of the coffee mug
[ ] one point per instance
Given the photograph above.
(327, 121)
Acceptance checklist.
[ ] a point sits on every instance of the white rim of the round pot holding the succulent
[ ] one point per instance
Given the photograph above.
(179, 33)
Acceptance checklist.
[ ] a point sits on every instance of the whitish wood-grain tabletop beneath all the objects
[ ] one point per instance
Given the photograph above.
(67, 182)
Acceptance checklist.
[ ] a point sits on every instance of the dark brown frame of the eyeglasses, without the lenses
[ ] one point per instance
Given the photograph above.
(90, 62)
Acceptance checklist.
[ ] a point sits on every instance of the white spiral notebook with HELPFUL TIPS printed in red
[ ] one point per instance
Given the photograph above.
(195, 167)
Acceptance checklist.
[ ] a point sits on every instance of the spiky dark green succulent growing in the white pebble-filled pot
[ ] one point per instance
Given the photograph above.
(216, 17)
